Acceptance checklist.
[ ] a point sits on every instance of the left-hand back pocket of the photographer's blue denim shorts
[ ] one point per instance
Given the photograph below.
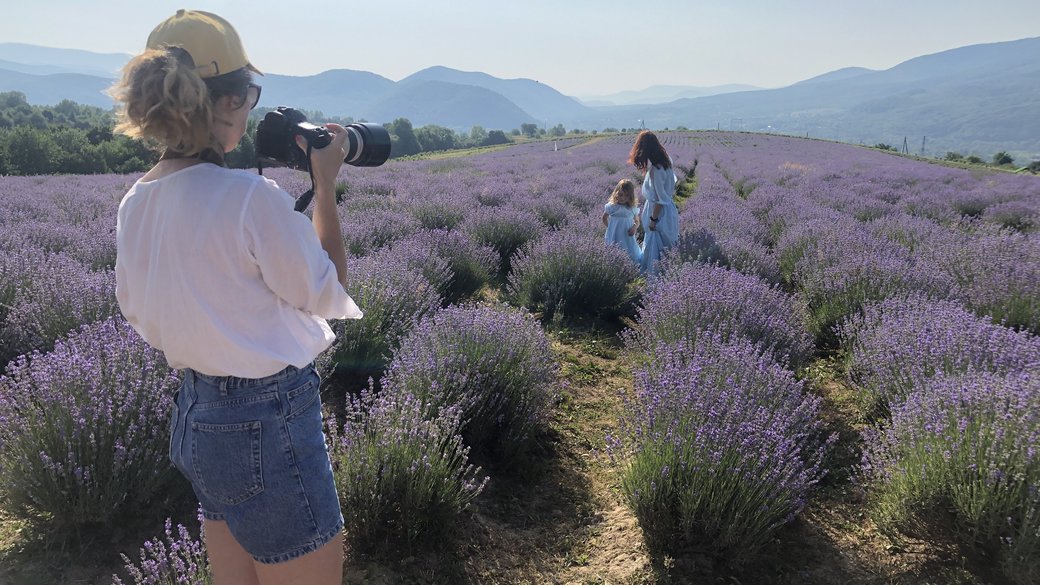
(227, 461)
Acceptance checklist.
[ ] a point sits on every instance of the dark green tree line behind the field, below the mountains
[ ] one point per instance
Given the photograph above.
(76, 139)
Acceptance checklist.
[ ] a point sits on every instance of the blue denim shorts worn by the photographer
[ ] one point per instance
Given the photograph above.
(256, 455)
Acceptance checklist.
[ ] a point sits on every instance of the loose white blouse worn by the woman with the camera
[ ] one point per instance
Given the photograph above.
(216, 269)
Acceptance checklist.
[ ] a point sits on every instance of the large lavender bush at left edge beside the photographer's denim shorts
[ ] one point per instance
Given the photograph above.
(85, 429)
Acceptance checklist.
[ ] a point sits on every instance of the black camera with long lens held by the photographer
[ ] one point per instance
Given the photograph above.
(368, 145)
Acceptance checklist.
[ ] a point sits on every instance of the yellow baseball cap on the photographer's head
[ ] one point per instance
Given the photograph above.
(212, 41)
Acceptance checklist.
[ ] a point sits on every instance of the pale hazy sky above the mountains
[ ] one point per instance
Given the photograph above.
(580, 47)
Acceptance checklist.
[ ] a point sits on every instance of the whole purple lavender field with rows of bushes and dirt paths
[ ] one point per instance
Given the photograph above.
(833, 379)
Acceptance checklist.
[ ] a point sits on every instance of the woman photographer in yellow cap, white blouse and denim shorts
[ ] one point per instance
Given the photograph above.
(217, 270)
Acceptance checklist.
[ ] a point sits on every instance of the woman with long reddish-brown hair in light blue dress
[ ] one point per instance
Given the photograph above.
(661, 220)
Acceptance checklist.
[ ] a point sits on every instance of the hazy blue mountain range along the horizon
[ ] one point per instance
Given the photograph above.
(977, 99)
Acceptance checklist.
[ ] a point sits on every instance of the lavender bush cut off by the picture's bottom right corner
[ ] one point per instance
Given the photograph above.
(966, 446)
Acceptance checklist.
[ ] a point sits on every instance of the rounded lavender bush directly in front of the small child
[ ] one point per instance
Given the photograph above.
(571, 274)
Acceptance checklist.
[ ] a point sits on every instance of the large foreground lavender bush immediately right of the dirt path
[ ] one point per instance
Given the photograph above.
(723, 446)
